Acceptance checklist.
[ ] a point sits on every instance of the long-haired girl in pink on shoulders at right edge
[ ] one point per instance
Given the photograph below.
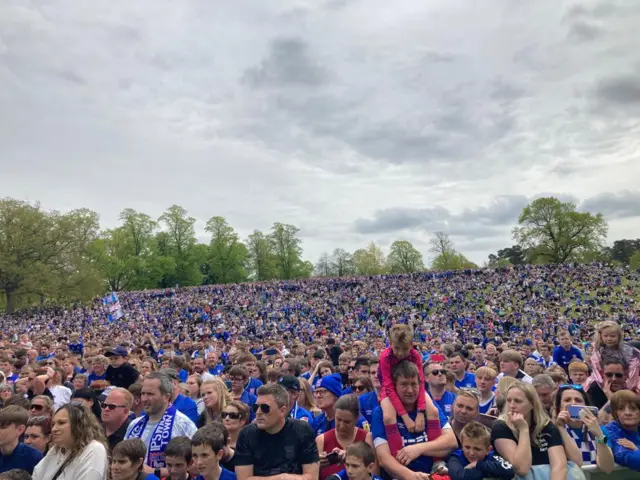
(609, 343)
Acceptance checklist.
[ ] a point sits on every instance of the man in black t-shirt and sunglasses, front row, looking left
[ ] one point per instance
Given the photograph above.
(275, 445)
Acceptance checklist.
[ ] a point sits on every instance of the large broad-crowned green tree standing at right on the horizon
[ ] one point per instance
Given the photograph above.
(556, 232)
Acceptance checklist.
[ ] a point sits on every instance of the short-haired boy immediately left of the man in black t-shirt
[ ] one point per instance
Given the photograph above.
(207, 449)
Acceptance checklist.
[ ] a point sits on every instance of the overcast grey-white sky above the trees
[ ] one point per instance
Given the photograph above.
(356, 120)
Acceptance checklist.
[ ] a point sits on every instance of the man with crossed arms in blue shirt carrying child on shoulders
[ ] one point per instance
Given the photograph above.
(415, 460)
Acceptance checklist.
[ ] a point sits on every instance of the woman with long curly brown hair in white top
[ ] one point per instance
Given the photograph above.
(79, 447)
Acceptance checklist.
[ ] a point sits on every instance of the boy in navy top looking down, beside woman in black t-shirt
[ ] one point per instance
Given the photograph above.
(475, 461)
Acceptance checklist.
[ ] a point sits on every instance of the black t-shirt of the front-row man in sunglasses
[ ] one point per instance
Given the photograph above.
(283, 452)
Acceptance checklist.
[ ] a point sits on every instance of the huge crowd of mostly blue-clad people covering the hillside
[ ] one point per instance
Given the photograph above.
(518, 372)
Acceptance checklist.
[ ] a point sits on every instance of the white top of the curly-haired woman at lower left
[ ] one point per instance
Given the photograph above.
(91, 464)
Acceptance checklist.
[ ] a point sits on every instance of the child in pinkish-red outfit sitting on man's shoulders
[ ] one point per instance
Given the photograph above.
(401, 339)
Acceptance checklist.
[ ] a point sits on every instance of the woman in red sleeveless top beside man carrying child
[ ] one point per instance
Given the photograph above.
(342, 436)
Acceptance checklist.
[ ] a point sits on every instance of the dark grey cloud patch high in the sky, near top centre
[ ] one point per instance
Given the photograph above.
(289, 63)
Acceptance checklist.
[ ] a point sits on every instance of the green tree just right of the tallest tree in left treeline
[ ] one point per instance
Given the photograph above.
(227, 254)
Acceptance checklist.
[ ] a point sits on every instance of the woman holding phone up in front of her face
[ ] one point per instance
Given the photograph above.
(585, 443)
